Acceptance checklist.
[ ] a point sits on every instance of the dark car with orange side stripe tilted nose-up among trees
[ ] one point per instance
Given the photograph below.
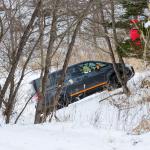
(81, 80)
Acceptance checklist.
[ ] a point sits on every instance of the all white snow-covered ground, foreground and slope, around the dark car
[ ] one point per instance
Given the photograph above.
(89, 124)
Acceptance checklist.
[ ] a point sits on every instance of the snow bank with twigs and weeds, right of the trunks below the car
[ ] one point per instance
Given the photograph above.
(116, 112)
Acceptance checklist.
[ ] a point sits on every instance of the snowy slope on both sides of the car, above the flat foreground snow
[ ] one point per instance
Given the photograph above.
(89, 111)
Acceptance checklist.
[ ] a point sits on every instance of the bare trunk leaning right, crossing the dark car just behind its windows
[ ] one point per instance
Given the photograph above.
(55, 100)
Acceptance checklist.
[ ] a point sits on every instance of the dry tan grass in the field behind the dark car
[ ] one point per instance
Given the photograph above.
(83, 51)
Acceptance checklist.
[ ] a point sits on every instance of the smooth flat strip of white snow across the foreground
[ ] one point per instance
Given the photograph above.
(66, 136)
